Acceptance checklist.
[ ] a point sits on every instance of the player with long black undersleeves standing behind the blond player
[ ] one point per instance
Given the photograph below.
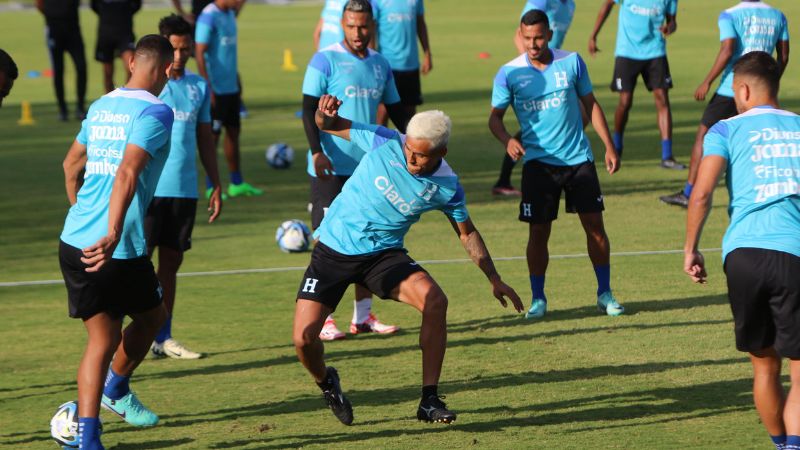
(347, 69)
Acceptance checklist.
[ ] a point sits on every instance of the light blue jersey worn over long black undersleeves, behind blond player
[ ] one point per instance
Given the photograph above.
(361, 84)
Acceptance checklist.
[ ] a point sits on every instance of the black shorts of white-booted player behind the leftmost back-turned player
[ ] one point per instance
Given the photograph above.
(169, 222)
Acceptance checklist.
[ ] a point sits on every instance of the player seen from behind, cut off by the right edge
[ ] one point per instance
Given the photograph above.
(758, 150)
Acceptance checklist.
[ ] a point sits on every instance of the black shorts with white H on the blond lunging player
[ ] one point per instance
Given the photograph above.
(330, 273)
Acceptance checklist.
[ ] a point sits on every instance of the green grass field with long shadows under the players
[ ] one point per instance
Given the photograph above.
(665, 375)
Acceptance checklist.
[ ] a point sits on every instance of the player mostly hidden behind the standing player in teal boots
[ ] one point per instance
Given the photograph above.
(560, 14)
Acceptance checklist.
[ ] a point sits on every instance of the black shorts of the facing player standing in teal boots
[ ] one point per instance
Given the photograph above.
(542, 185)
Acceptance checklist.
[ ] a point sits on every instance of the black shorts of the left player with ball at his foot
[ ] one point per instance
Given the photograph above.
(121, 287)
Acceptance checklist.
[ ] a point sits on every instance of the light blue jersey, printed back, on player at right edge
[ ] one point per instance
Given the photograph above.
(762, 147)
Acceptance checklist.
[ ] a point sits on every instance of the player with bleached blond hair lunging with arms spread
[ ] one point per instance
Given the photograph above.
(361, 241)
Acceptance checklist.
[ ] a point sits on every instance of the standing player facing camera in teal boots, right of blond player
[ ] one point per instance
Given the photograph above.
(545, 88)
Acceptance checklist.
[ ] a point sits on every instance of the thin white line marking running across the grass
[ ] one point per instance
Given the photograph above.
(428, 262)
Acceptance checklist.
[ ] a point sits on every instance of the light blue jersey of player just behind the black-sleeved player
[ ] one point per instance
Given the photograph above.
(397, 31)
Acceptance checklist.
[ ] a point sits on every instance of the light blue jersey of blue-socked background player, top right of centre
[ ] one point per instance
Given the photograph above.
(639, 30)
